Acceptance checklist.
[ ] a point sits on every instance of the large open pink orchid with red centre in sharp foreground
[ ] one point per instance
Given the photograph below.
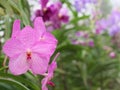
(29, 48)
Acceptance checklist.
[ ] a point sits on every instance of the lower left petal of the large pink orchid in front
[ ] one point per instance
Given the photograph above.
(18, 65)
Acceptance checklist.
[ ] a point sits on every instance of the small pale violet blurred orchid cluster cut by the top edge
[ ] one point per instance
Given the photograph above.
(80, 4)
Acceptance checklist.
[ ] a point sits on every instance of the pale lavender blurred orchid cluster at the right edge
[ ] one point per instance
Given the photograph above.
(111, 23)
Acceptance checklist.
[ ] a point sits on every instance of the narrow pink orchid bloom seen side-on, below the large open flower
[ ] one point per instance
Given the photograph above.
(49, 75)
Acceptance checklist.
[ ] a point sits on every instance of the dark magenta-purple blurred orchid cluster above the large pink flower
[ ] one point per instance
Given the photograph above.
(54, 14)
